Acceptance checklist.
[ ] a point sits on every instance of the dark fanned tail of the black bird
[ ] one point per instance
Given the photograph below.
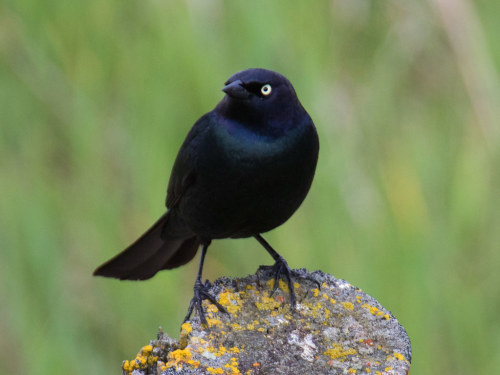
(153, 251)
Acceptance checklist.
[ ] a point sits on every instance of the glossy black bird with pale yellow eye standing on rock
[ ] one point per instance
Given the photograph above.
(243, 169)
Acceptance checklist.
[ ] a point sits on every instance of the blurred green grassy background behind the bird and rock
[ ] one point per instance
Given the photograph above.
(97, 96)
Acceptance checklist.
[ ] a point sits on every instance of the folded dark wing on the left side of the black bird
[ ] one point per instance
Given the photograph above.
(183, 172)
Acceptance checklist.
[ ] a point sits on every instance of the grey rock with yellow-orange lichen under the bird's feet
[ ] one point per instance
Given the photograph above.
(336, 329)
